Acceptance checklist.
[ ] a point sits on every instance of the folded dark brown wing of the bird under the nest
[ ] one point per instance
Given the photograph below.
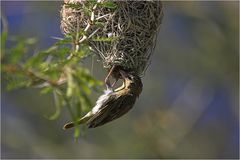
(113, 109)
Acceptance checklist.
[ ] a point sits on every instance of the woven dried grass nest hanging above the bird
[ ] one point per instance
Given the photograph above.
(120, 32)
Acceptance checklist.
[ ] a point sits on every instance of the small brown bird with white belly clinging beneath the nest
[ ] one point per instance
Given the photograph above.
(113, 103)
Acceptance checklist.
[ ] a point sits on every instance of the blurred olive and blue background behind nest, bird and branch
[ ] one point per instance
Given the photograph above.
(188, 107)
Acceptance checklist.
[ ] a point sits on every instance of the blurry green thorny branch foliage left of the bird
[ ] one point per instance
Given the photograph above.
(57, 70)
